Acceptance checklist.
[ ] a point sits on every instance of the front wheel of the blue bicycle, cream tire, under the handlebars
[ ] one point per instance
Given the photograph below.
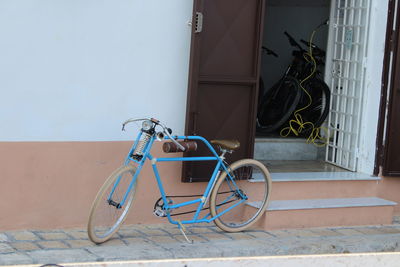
(108, 212)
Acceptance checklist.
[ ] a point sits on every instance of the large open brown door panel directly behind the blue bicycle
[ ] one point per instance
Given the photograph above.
(224, 72)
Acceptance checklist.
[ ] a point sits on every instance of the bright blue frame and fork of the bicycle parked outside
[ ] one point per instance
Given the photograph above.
(220, 166)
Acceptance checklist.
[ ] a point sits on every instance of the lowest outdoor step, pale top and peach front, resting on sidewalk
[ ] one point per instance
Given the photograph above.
(283, 214)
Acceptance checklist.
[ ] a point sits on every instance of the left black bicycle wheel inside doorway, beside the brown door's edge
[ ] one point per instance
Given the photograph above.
(278, 105)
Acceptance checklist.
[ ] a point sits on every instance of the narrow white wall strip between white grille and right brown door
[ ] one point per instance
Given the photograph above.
(373, 83)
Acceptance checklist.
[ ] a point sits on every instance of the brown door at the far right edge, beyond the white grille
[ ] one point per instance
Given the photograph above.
(389, 123)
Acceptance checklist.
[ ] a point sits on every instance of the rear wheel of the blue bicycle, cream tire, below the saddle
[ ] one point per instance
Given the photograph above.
(240, 198)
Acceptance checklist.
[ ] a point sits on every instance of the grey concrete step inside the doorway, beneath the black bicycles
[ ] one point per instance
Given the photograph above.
(286, 149)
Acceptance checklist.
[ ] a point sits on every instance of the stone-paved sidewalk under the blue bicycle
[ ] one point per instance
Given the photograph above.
(166, 242)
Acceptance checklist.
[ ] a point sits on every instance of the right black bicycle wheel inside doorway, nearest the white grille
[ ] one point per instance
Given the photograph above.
(317, 112)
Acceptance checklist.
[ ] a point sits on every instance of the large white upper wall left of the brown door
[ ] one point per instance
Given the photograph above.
(73, 70)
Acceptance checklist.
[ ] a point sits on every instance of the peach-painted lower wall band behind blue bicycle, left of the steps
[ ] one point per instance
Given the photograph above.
(48, 185)
